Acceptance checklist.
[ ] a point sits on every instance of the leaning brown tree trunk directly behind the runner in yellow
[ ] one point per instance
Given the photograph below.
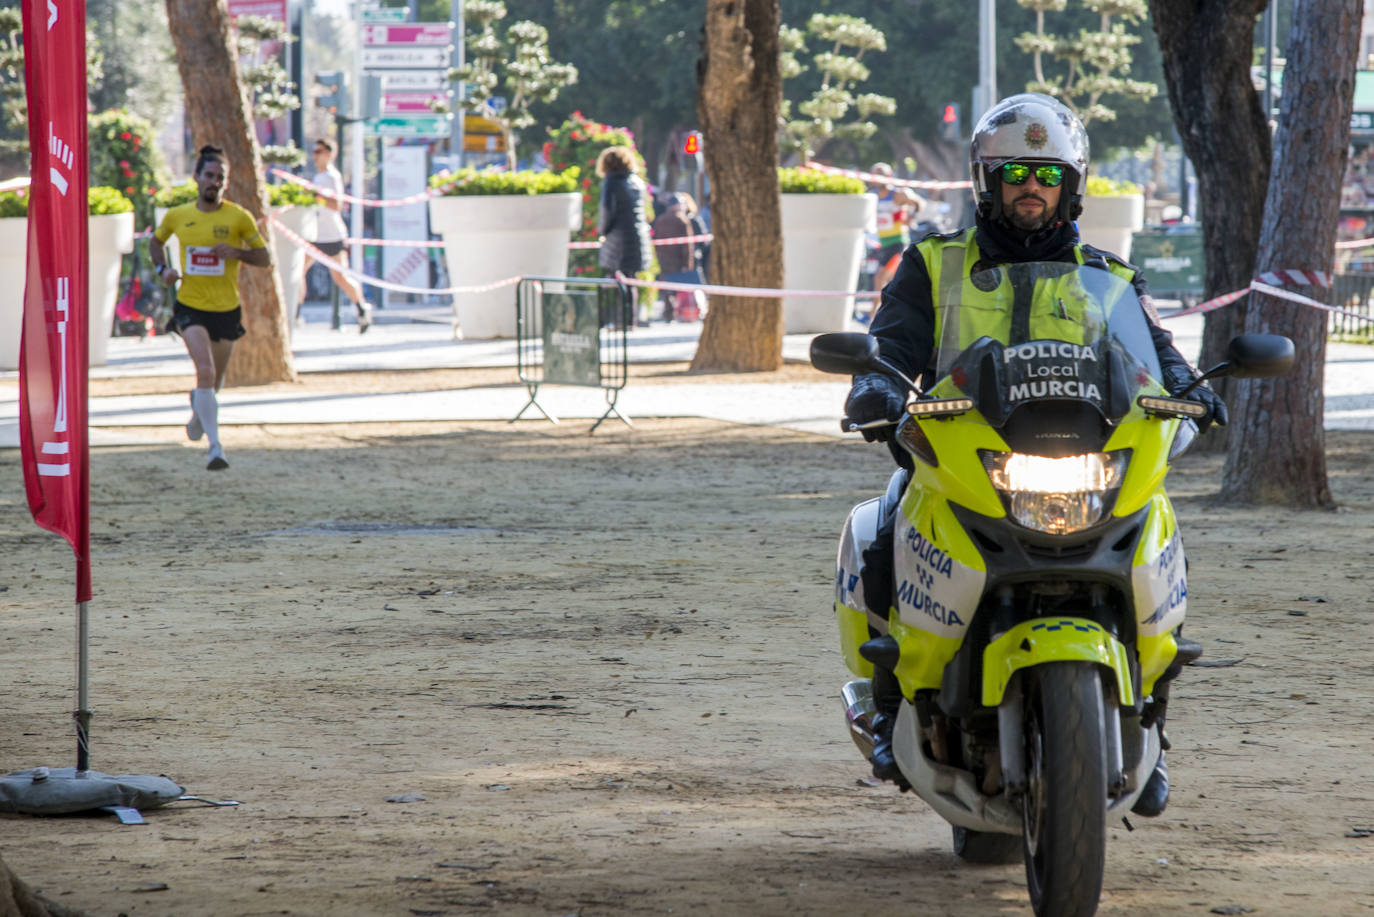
(218, 112)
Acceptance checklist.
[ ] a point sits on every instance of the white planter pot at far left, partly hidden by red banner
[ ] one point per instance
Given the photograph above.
(111, 240)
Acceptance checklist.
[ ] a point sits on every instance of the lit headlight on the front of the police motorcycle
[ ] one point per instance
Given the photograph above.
(1057, 496)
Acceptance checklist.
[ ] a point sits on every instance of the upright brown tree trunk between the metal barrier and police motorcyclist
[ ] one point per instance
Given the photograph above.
(739, 96)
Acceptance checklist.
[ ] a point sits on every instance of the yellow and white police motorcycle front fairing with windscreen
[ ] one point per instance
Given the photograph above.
(1046, 500)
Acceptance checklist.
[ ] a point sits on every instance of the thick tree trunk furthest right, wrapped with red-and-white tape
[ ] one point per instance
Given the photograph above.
(1277, 453)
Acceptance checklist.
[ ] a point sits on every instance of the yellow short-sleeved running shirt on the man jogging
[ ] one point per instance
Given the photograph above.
(208, 283)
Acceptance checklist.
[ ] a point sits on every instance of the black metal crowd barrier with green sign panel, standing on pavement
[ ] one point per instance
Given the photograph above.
(574, 332)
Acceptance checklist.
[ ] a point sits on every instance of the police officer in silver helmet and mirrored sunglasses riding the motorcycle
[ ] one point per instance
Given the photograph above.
(1030, 166)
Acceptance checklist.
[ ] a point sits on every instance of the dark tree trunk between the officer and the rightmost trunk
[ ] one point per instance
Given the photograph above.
(1208, 47)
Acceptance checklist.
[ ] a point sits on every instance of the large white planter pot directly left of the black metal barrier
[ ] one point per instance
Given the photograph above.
(494, 237)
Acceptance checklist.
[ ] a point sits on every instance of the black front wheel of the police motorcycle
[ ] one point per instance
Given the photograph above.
(1064, 809)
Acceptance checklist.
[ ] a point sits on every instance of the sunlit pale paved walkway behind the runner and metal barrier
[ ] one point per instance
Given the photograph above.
(421, 338)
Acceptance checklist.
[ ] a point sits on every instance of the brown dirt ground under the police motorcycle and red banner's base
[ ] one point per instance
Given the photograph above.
(479, 669)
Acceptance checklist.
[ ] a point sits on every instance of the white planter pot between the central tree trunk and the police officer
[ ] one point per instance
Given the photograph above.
(822, 250)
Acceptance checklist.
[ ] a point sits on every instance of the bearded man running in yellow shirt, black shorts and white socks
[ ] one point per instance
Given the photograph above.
(214, 237)
